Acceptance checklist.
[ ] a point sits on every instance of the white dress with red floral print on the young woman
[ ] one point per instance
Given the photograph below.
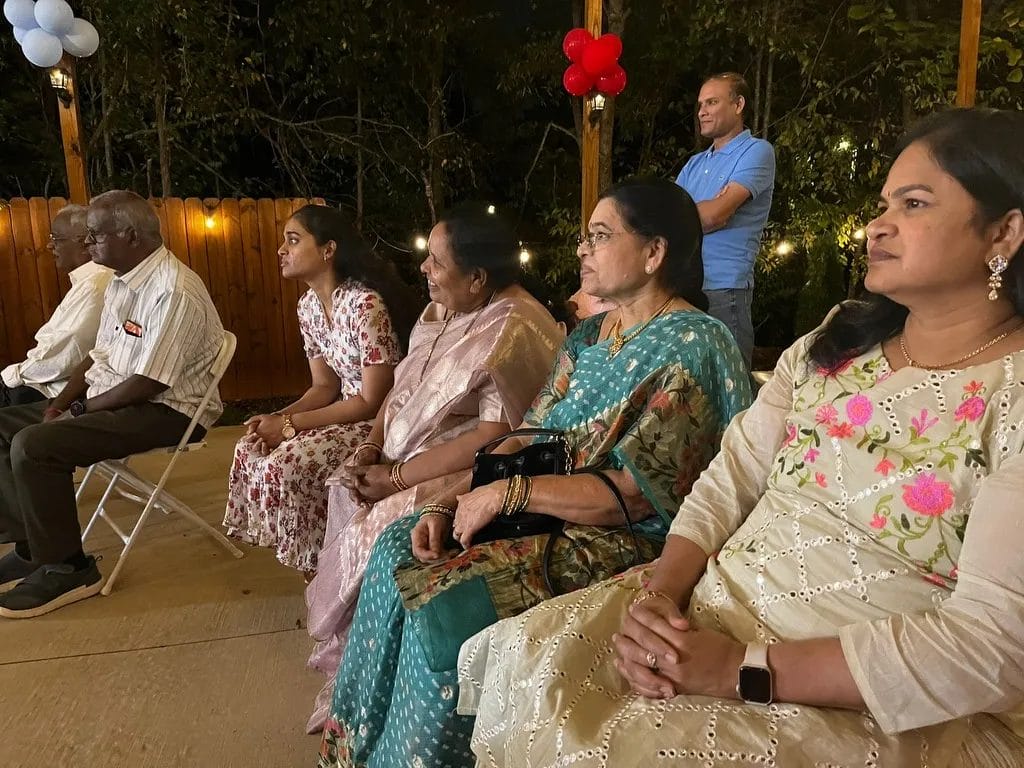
(280, 500)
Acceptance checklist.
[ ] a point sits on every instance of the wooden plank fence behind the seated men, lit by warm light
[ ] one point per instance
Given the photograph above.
(231, 244)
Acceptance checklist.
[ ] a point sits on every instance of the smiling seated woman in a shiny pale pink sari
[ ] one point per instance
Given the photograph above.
(477, 359)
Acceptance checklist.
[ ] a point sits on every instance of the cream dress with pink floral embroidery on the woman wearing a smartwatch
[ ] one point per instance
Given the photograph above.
(857, 502)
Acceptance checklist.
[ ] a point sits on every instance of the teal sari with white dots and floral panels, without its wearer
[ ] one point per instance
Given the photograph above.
(658, 410)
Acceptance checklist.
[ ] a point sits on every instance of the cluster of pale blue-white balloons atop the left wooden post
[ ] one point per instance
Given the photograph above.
(49, 28)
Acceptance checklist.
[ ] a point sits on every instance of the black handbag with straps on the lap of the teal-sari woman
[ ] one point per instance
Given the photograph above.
(548, 458)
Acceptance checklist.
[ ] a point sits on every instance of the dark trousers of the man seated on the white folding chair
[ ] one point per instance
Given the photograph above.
(38, 461)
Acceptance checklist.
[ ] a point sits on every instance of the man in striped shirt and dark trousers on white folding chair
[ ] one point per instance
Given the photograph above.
(139, 390)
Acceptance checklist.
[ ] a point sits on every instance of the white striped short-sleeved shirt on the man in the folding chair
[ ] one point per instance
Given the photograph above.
(159, 322)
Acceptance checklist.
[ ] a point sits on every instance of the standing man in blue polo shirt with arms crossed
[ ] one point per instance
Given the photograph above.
(733, 184)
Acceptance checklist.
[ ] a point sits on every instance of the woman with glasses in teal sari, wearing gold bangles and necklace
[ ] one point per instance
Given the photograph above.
(644, 393)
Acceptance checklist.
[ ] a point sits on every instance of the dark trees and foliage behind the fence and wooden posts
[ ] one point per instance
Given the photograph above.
(394, 110)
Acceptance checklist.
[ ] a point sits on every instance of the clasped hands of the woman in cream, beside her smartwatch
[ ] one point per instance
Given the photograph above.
(662, 656)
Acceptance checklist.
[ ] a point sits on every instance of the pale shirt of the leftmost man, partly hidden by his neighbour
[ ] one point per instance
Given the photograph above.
(67, 337)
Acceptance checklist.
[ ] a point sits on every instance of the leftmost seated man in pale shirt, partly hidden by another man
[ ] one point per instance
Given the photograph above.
(67, 337)
